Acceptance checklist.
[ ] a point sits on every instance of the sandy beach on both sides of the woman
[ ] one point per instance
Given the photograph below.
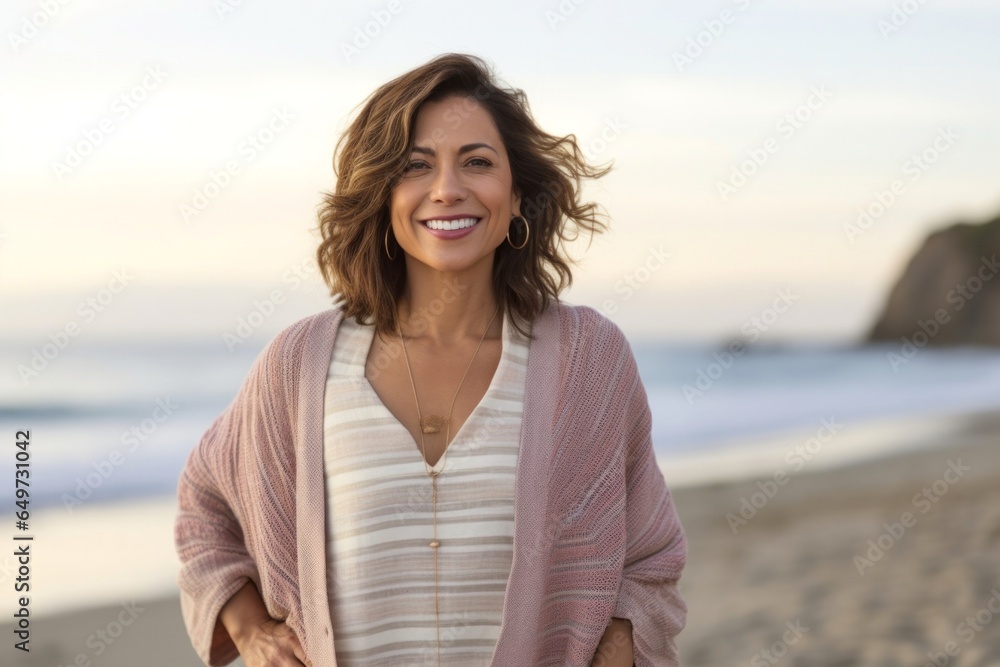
(891, 561)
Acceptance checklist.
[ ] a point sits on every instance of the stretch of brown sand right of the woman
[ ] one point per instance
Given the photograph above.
(827, 574)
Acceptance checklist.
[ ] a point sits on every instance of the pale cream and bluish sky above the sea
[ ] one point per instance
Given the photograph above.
(746, 139)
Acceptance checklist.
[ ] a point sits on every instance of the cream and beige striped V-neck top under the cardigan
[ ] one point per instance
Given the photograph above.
(380, 518)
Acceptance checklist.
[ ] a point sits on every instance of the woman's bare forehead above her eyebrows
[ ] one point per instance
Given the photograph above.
(454, 121)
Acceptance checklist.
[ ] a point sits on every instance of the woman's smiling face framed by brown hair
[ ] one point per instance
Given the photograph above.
(458, 166)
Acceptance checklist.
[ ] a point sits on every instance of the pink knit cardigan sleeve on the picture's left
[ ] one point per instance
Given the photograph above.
(220, 528)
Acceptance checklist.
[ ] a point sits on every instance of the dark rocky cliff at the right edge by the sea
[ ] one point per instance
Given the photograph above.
(949, 293)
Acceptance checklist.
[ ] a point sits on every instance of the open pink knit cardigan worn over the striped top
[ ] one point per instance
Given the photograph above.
(595, 530)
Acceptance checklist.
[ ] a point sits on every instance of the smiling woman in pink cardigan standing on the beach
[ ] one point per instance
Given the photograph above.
(450, 466)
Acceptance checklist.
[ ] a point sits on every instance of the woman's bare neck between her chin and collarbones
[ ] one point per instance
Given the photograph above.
(445, 307)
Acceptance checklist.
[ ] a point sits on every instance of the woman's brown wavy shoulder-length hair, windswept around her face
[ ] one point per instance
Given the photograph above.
(369, 159)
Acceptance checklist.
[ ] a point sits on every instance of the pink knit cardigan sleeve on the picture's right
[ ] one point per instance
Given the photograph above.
(656, 547)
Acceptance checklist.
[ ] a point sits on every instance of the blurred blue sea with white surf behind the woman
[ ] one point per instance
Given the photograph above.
(114, 420)
